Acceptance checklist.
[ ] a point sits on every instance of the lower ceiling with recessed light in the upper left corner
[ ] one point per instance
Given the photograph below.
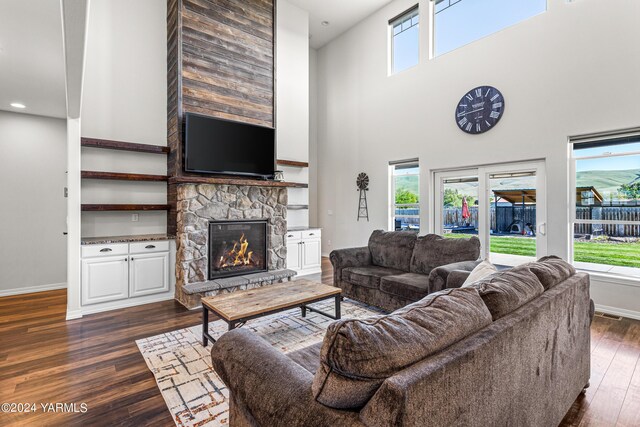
(31, 57)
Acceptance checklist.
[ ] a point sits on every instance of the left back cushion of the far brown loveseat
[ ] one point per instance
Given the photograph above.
(392, 249)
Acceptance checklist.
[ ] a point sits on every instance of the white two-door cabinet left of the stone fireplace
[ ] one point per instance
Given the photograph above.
(123, 271)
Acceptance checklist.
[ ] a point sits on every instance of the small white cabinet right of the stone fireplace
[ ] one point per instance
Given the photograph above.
(304, 251)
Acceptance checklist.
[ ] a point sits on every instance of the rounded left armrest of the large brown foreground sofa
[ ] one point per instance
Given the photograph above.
(271, 387)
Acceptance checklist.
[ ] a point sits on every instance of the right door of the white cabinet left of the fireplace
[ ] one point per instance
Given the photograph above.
(149, 274)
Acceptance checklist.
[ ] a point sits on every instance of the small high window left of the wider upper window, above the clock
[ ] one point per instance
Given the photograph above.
(405, 46)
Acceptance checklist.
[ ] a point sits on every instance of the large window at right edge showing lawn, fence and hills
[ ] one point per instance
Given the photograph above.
(606, 218)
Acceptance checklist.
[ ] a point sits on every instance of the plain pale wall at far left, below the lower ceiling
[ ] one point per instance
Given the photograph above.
(32, 218)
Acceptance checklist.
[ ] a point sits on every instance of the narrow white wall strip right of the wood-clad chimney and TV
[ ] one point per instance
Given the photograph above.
(292, 101)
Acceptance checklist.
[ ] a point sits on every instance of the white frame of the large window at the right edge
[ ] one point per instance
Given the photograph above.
(613, 277)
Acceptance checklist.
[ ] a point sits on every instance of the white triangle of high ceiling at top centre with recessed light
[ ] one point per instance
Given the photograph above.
(341, 15)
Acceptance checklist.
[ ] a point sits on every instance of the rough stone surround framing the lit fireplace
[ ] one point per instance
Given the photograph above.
(197, 204)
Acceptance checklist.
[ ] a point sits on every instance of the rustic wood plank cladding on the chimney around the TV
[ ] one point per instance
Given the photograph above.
(221, 63)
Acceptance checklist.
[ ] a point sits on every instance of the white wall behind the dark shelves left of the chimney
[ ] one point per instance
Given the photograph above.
(125, 99)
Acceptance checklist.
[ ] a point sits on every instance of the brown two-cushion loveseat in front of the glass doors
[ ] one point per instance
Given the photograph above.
(397, 268)
